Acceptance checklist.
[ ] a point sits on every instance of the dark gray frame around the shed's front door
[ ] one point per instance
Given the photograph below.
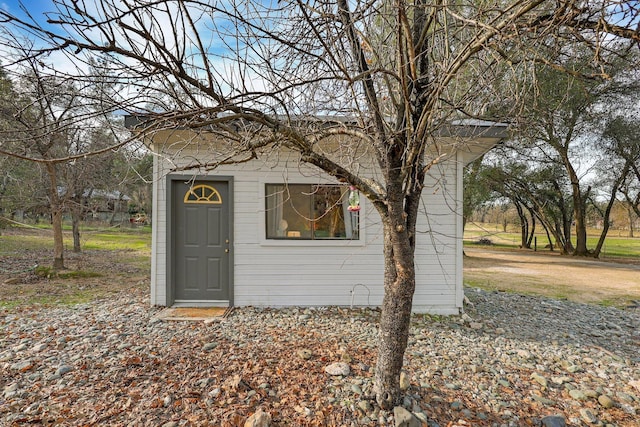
(170, 226)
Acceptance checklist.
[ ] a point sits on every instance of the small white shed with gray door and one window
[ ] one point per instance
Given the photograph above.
(274, 232)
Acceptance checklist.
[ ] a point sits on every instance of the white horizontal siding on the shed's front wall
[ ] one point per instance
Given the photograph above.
(320, 273)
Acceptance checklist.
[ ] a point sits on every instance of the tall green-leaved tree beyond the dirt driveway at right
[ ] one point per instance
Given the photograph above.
(562, 124)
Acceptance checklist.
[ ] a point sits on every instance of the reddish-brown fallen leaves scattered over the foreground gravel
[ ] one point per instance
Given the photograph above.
(130, 371)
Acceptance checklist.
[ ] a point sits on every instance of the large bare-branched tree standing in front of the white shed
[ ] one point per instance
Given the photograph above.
(399, 70)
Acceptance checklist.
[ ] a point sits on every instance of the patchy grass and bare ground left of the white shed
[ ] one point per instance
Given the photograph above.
(112, 260)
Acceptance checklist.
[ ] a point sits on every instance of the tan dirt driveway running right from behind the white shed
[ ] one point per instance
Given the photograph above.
(576, 279)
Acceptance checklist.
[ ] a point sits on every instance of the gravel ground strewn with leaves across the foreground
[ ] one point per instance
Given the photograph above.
(510, 361)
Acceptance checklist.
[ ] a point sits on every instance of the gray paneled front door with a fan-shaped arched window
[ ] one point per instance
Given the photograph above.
(201, 238)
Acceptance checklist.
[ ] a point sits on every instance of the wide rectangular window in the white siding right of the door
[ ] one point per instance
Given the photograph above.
(312, 212)
